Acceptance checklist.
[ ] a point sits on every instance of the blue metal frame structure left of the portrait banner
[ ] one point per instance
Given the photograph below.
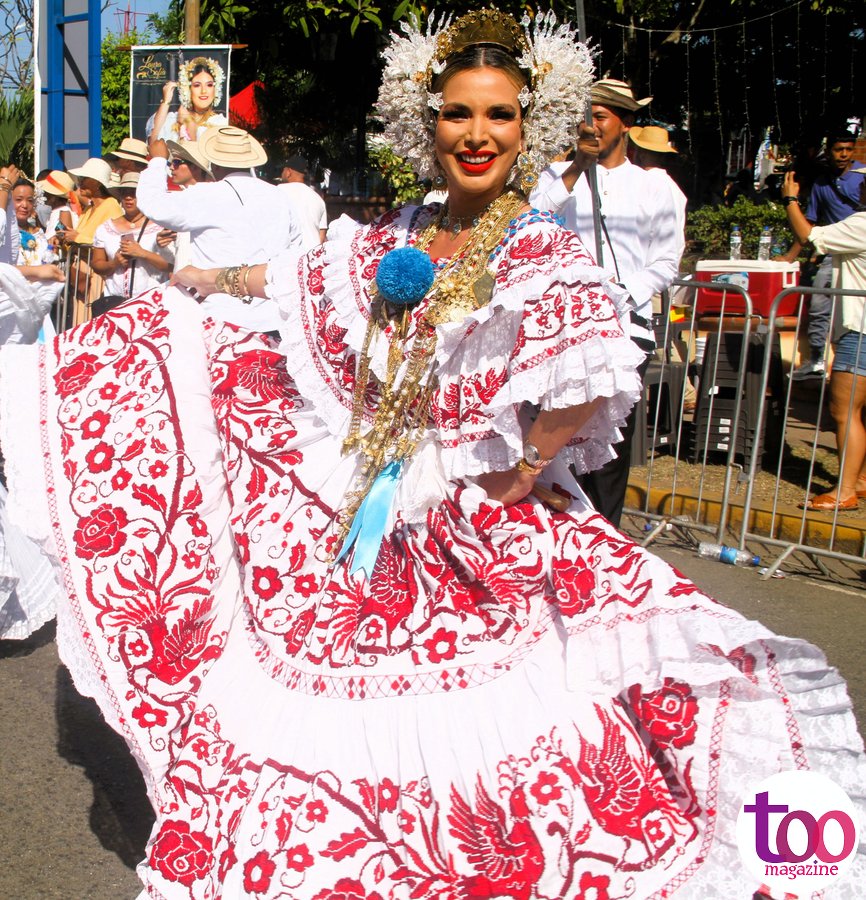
(72, 85)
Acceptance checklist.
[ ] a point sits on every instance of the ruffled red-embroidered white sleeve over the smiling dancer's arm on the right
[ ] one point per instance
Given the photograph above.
(550, 338)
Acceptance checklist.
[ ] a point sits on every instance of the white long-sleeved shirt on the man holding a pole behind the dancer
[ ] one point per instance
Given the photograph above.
(643, 242)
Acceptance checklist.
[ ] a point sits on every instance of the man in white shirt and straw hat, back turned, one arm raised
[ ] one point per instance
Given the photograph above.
(235, 220)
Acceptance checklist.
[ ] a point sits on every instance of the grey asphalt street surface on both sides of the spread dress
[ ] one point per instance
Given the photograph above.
(74, 813)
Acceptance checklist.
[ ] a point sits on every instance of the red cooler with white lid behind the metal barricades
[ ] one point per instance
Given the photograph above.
(763, 279)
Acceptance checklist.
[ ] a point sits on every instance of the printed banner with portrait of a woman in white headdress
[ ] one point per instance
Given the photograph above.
(201, 96)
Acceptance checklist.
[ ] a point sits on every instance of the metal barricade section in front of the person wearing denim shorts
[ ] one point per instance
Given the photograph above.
(798, 529)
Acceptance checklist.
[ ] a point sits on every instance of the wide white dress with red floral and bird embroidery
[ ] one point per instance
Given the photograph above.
(517, 704)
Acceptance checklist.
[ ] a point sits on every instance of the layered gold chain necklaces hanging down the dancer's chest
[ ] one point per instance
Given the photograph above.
(462, 285)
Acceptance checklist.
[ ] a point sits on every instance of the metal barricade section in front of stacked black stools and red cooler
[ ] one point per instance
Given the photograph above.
(665, 504)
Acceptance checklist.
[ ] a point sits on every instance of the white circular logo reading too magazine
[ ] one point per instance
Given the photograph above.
(797, 832)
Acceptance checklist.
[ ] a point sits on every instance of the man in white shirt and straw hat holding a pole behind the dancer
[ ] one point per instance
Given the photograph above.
(641, 242)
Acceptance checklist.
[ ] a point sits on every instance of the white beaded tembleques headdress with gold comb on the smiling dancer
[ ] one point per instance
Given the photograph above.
(559, 71)
